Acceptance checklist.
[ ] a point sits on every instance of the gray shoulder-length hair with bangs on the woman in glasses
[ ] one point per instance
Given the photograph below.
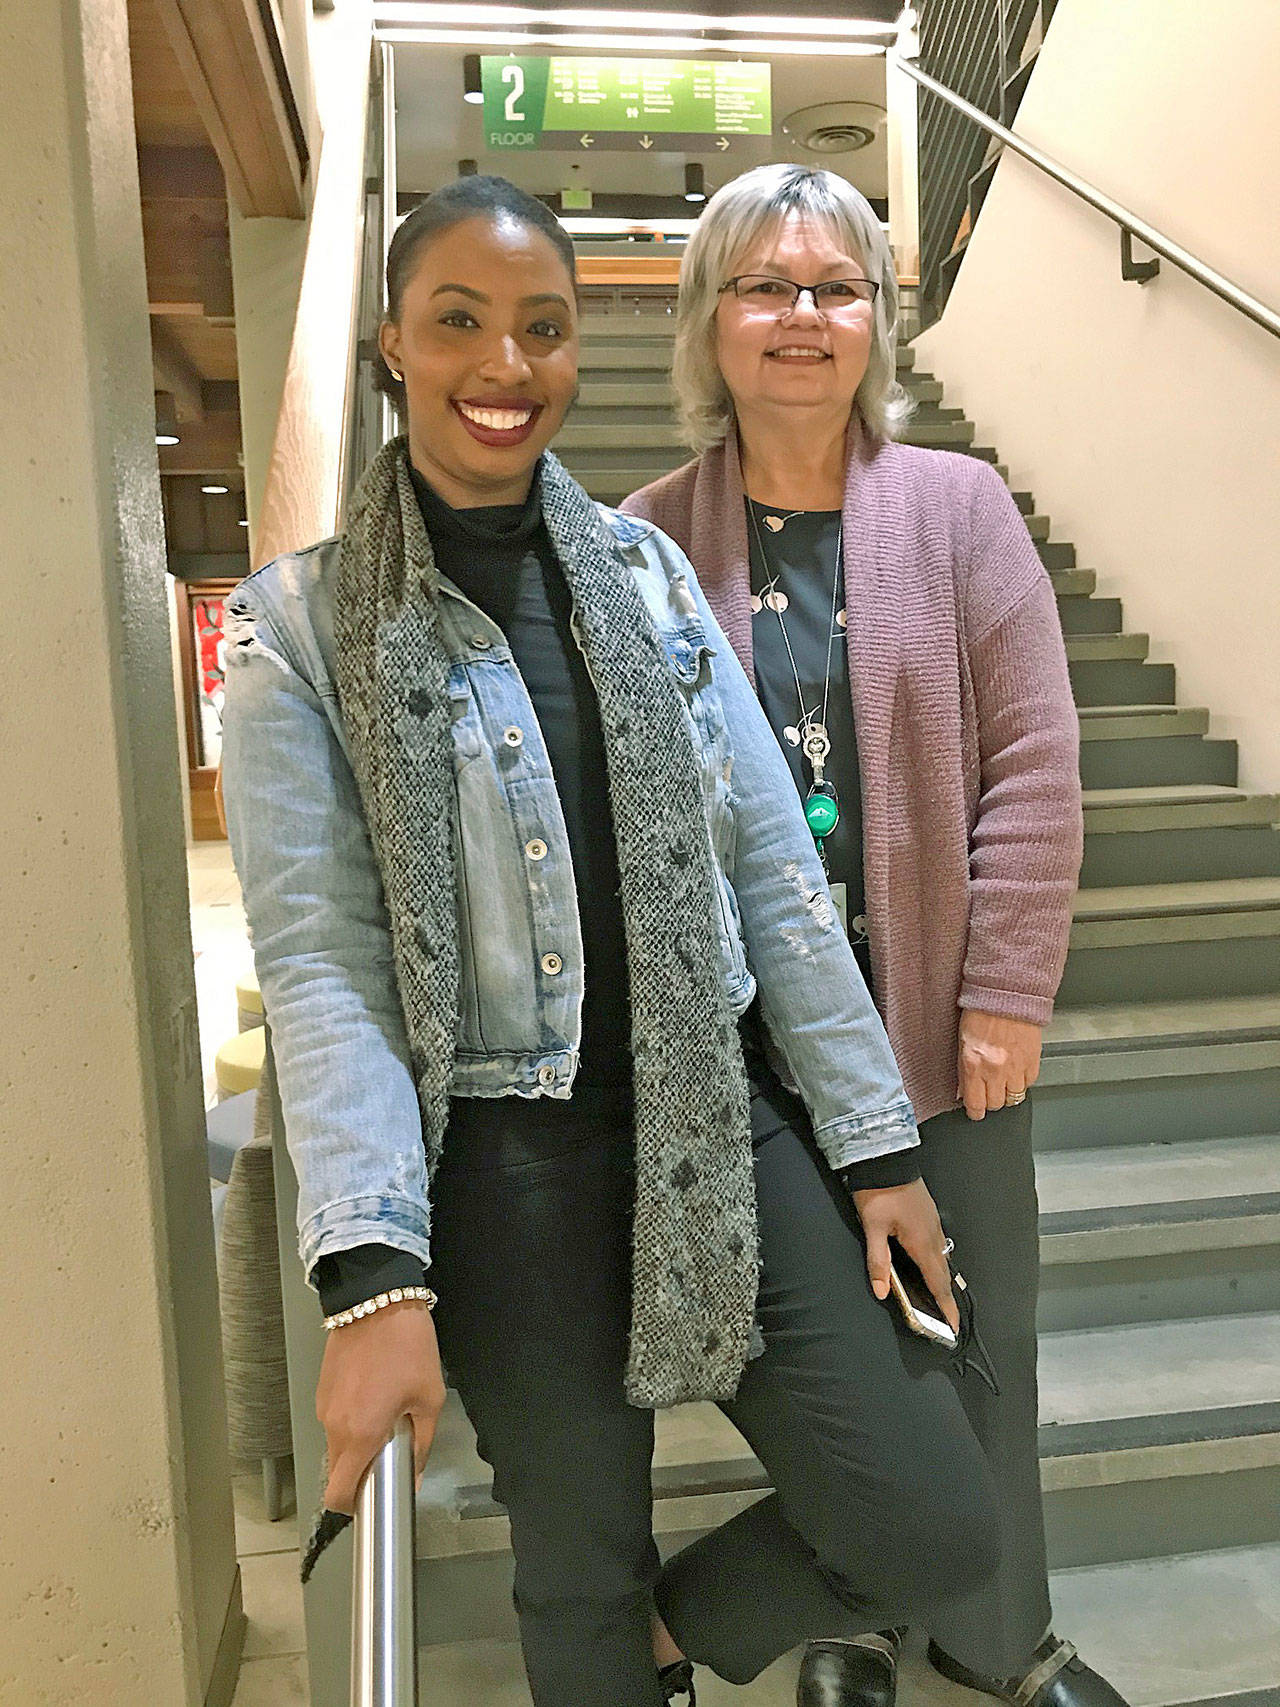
(738, 216)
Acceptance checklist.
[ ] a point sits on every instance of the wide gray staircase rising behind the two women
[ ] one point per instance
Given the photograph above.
(1158, 1158)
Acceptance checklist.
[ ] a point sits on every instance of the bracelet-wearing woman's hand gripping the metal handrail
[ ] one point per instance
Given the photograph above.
(376, 1372)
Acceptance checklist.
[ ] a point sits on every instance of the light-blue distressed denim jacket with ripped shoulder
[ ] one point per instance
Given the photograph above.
(322, 931)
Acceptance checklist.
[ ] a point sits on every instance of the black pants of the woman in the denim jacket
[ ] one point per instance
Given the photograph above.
(883, 1506)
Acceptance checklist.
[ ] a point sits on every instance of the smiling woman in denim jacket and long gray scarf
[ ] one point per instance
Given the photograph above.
(518, 851)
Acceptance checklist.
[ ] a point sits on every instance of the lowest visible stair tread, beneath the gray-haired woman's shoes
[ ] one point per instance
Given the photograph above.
(1189, 1631)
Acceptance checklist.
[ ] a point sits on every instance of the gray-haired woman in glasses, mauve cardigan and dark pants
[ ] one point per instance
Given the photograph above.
(904, 641)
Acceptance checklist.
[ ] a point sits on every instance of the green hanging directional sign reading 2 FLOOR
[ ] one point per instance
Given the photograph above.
(624, 103)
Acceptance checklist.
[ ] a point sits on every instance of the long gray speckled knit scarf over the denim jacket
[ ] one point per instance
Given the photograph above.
(695, 1262)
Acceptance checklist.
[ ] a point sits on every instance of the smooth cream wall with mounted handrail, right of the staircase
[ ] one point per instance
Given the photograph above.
(1146, 419)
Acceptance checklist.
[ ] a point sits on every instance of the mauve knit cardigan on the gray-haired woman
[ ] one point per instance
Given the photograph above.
(969, 738)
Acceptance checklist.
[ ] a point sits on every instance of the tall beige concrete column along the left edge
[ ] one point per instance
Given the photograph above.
(119, 1578)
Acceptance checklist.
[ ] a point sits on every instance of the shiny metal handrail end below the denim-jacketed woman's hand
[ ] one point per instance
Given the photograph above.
(385, 1643)
